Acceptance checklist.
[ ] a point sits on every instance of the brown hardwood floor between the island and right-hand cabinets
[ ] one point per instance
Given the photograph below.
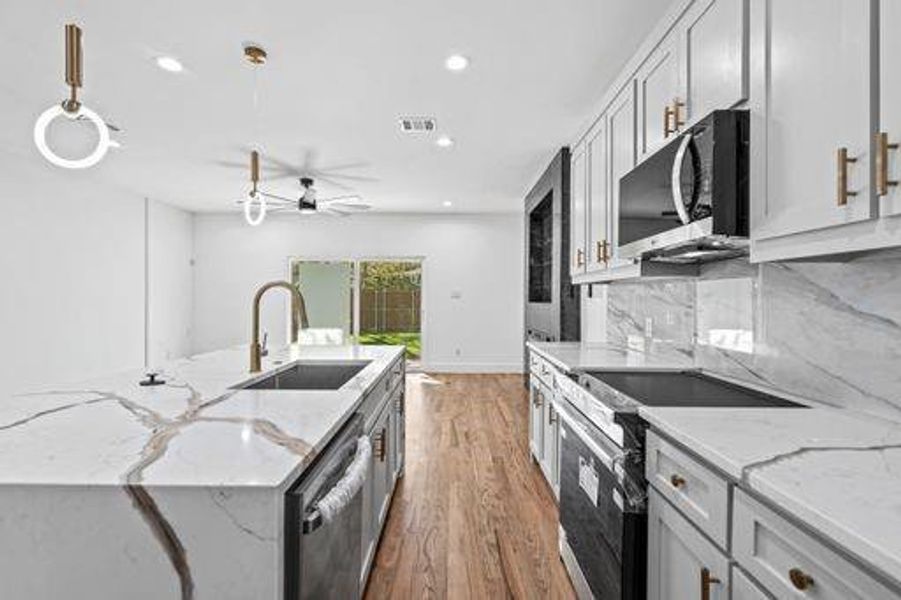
(472, 516)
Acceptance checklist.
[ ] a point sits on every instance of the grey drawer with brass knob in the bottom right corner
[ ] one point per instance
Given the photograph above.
(792, 564)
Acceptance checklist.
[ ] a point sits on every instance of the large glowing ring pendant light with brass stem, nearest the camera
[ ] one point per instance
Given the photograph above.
(72, 109)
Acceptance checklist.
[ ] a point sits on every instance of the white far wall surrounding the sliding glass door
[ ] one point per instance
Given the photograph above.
(475, 257)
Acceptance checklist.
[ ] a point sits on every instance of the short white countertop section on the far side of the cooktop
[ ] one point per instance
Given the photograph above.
(574, 356)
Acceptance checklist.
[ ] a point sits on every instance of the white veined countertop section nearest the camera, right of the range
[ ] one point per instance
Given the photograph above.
(837, 471)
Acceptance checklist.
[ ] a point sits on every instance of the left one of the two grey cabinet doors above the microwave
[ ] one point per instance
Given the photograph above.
(658, 92)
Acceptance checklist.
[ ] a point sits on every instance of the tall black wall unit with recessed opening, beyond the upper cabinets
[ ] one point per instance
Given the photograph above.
(552, 302)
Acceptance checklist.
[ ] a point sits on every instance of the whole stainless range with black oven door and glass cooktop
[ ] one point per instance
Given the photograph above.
(603, 492)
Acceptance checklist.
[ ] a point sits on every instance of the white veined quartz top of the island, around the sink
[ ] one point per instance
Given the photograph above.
(192, 431)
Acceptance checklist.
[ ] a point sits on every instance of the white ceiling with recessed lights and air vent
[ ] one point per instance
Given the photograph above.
(340, 74)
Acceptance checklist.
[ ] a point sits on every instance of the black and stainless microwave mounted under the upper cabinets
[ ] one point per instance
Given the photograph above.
(688, 202)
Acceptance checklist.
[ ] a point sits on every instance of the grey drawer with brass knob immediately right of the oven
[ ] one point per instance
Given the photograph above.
(701, 494)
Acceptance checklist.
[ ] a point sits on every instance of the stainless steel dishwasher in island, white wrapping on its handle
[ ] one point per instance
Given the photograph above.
(323, 520)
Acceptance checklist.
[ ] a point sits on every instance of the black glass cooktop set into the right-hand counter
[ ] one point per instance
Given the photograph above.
(684, 388)
